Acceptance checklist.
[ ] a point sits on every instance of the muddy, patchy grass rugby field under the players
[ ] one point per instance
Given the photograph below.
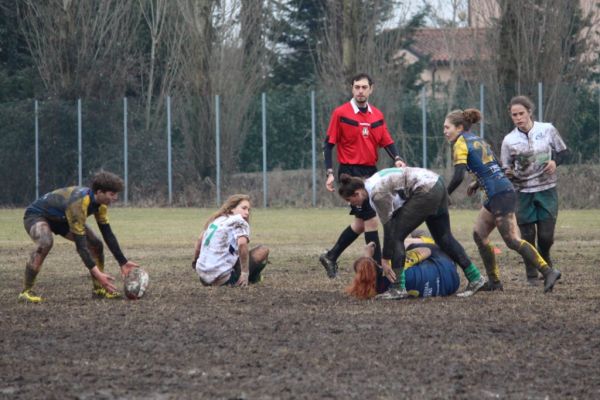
(295, 335)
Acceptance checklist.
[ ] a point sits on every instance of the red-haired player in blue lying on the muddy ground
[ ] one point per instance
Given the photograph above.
(429, 272)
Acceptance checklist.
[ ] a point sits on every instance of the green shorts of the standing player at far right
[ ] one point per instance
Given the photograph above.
(539, 206)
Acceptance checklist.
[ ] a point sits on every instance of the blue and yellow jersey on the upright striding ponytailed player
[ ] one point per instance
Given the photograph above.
(472, 151)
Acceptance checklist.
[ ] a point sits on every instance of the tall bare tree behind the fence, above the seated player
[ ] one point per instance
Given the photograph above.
(226, 55)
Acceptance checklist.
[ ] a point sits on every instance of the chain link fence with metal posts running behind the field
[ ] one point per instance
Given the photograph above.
(277, 158)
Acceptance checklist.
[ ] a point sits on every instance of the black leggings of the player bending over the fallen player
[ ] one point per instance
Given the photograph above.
(432, 208)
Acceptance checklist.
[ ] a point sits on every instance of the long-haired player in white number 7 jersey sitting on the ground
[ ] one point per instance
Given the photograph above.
(221, 256)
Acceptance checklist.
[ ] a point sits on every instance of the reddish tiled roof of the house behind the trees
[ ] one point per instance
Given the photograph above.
(445, 44)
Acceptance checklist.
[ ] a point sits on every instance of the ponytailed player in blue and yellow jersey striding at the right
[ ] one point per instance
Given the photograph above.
(473, 154)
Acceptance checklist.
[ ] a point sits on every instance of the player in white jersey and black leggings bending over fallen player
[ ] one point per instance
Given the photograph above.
(404, 198)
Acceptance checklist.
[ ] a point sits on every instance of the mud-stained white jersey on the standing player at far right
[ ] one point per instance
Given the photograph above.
(527, 153)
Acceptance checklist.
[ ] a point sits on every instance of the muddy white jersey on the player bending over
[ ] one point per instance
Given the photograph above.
(390, 188)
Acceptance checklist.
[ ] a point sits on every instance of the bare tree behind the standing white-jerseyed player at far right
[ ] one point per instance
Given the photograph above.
(530, 42)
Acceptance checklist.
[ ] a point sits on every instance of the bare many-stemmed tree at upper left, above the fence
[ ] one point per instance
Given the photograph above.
(82, 48)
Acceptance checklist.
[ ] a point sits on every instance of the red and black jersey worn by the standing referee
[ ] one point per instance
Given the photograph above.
(357, 135)
